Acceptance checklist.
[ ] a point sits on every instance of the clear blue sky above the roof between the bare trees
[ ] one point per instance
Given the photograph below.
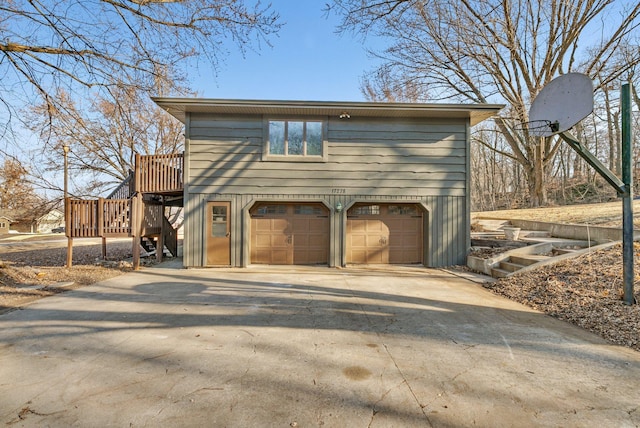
(307, 61)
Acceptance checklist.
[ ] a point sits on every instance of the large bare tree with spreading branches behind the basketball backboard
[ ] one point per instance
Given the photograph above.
(499, 51)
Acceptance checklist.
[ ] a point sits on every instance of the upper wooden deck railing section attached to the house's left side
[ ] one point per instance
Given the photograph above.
(159, 173)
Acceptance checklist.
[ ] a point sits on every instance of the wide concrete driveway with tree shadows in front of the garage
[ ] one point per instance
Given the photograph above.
(305, 347)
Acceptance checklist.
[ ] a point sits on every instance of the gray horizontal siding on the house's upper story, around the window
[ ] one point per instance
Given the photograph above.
(367, 157)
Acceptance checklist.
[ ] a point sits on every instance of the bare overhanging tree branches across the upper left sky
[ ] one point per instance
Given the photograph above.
(56, 46)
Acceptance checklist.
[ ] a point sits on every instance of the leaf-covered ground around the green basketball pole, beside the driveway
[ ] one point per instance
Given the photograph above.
(586, 291)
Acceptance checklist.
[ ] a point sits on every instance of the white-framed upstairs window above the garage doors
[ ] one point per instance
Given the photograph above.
(295, 140)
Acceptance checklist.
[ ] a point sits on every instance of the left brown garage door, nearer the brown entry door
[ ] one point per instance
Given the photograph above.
(287, 234)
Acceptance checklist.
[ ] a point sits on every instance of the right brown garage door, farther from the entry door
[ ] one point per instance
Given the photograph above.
(384, 233)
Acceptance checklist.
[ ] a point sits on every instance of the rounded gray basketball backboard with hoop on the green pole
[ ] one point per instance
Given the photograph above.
(565, 101)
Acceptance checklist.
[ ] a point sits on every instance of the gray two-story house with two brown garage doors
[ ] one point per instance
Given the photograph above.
(325, 183)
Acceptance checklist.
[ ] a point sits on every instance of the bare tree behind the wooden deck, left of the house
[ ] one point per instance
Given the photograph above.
(103, 136)
